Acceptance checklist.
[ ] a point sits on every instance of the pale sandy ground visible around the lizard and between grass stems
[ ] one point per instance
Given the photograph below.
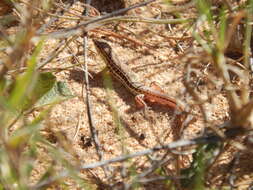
(154, 59)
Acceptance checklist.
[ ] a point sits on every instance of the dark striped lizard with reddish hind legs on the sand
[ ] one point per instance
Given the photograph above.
(129, 79)
